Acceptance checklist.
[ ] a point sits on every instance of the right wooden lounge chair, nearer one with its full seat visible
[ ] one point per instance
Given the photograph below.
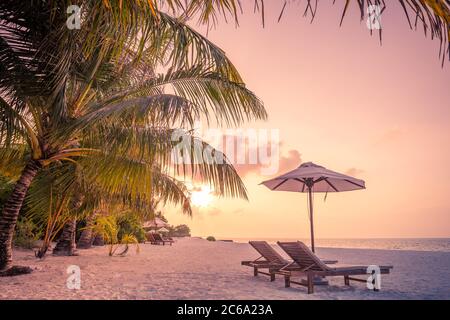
(307, 264)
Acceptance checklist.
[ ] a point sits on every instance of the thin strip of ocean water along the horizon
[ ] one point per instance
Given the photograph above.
(414, 244)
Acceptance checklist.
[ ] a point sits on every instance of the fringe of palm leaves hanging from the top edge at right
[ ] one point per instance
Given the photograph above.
(433, 16)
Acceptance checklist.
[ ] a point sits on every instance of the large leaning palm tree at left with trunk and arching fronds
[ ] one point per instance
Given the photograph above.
(73, 95)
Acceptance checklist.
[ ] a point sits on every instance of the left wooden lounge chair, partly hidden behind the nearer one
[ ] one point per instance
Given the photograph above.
(272, 260)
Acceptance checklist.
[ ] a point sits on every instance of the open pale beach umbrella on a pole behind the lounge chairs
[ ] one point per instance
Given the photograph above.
(310, 178)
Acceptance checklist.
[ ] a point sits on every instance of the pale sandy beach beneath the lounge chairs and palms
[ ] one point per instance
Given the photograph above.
(198, 269)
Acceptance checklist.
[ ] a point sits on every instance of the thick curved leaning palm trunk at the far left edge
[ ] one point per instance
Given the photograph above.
(10, 212)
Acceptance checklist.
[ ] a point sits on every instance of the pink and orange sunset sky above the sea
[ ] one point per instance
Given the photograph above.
(340, 99)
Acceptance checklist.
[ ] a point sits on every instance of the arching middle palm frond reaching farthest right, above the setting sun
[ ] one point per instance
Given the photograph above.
(197, 93)
